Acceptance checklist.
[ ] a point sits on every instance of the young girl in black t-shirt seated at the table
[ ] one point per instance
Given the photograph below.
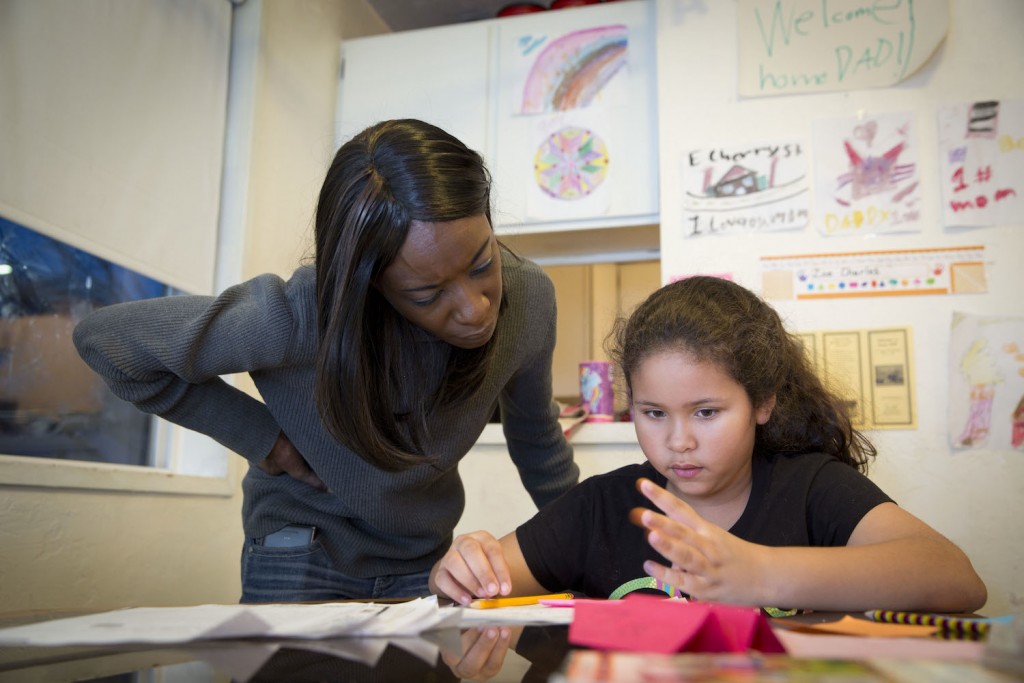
(753, 492)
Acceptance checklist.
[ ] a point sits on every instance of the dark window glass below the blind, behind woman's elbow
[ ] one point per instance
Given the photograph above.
(52, 404)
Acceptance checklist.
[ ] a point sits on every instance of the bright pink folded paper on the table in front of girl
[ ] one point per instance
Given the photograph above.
(650, 624)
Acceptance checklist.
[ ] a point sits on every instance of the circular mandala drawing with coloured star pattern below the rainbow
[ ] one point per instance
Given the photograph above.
(571, 163)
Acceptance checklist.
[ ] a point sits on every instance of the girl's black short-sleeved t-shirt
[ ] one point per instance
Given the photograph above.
(584, 541)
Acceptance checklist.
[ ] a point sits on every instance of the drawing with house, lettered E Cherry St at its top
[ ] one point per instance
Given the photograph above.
(755, 189)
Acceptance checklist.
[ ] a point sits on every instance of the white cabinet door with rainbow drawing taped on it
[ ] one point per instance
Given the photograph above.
(592, 68)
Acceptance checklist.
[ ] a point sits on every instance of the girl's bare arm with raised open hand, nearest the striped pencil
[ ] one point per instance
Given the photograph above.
(892, 562)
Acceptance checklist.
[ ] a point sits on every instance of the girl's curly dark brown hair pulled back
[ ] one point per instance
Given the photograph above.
(716, 321)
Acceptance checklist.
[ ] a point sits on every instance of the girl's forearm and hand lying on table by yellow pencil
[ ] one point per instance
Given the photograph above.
(479, 566)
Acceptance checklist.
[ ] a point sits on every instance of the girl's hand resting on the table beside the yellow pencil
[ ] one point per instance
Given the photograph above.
(474, 567)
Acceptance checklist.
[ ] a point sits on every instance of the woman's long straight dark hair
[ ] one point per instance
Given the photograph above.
(370, 369)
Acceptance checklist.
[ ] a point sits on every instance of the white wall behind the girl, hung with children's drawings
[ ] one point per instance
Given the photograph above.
(975, 497)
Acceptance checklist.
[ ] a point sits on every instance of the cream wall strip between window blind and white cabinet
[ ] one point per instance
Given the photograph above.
(294, 131)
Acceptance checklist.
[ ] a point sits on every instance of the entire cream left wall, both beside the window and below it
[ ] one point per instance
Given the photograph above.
(71, 549)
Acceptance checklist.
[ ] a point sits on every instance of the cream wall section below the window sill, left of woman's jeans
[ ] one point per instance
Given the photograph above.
(68, 549)
